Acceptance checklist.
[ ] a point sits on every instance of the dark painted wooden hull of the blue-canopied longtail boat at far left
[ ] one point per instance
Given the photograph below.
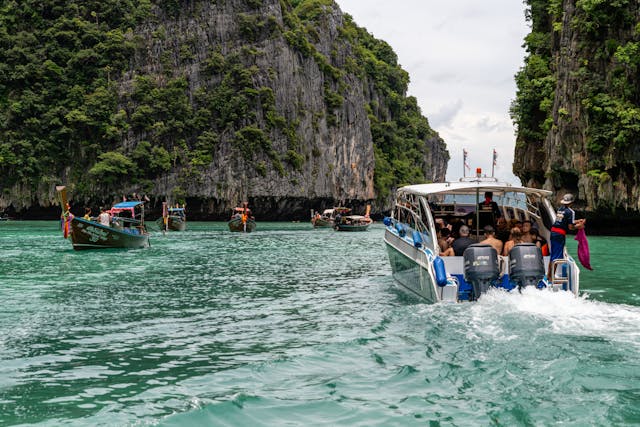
(92, 235)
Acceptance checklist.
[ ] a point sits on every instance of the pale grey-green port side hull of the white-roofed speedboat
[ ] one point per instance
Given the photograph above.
(410, 268)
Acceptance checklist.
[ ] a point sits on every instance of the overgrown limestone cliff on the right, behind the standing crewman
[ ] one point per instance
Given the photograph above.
(577, 110)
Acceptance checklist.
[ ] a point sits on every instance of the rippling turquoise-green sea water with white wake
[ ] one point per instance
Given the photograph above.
(291, 326)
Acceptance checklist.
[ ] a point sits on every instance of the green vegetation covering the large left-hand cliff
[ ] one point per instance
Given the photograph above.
(66, 114)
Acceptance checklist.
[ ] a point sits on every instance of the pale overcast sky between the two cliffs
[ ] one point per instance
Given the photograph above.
(461, 56)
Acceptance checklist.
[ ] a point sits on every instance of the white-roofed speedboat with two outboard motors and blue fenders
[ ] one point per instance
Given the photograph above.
(414, 253)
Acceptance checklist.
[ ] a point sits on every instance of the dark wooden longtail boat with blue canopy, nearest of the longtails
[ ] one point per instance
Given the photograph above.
(123, 231)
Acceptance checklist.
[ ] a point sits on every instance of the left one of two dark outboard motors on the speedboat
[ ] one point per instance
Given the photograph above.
(481, 267)
